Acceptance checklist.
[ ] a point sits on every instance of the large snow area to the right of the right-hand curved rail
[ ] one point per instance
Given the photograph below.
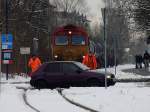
(119, 98)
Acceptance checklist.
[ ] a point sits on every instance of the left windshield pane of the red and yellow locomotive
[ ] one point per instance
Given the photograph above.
(61, 40)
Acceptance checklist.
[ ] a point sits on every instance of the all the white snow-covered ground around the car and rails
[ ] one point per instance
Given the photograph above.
(123, 97)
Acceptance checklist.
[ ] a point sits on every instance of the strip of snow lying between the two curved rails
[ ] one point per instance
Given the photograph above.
(50, 100)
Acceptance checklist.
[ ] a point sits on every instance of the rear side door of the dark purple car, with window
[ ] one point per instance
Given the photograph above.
(53, 74)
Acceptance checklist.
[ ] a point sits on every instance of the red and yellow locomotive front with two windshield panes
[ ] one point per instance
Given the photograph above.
(69, 43)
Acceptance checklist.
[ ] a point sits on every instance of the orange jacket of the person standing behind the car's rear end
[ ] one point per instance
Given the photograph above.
(34, 63)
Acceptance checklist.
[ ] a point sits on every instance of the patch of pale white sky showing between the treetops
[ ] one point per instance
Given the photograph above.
(95, 10)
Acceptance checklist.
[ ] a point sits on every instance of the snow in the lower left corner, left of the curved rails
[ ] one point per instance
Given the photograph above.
(11, 100)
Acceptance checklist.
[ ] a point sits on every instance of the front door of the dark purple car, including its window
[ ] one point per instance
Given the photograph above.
(71, 73)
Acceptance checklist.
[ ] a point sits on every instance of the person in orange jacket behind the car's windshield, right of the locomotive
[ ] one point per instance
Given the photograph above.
(90, 60)
